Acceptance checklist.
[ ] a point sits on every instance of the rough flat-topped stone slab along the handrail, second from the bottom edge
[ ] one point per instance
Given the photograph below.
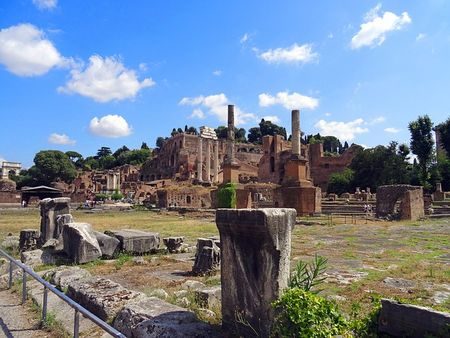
(101, 296)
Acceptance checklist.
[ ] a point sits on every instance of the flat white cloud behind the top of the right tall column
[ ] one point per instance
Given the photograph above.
(288, 101)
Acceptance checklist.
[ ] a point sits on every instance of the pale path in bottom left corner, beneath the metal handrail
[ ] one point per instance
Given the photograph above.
(17, 320)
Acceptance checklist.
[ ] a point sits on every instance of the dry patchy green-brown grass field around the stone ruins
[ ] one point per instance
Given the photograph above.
(404, 260)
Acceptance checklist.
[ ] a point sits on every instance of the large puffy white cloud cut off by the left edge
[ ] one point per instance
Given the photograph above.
(25, 51)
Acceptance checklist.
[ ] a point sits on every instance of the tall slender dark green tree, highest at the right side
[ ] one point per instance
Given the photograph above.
(422, 143)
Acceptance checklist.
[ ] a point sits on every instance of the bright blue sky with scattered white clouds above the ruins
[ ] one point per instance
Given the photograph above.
(78, 75)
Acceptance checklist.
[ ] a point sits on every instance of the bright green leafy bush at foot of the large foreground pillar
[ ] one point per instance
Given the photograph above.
(300, 313)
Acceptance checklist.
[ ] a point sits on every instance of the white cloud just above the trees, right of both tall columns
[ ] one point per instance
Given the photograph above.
(345, 131)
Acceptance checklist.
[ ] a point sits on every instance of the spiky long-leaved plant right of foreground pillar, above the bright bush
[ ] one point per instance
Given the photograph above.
(307, 276)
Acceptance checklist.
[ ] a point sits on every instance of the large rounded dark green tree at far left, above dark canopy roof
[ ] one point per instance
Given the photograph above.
(53, 165)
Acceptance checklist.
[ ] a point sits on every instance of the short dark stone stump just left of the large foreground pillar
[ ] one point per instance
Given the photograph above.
(207, 258)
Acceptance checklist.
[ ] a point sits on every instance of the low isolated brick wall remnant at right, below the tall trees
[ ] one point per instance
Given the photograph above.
(410, 198)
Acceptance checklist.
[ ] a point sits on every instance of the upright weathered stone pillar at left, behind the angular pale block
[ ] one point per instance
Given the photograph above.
(50, 209)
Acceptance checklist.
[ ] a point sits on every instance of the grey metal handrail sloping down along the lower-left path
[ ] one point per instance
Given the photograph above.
(47, 286)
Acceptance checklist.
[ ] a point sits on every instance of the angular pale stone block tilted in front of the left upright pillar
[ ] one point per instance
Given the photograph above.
(80, 243)
